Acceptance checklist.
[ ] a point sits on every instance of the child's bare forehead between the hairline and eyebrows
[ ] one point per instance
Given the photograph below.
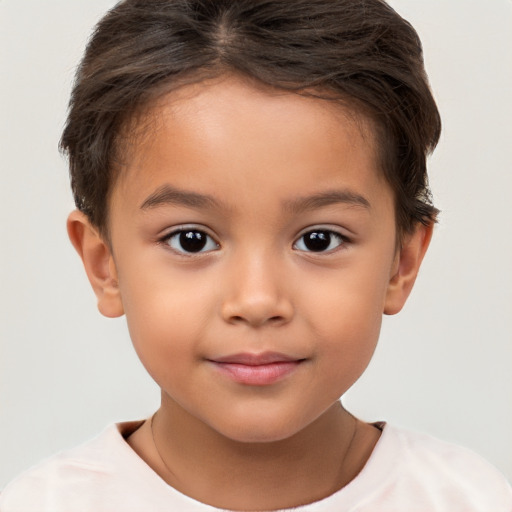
(216, 133)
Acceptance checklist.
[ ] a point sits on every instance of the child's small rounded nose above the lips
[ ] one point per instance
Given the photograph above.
(256, 293)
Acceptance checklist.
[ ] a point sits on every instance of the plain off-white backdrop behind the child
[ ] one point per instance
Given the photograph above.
(443, 365)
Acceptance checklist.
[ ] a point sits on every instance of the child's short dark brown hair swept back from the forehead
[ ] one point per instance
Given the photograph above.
(359, 50)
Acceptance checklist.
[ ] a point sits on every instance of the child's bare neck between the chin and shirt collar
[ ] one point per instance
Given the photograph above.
(308, 466)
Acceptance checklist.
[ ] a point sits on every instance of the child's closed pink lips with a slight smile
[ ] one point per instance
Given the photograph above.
(256, 369)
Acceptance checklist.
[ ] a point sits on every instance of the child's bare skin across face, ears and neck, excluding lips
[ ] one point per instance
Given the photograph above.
(257, 153)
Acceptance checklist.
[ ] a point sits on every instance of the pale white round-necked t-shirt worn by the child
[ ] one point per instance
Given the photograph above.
(407, 472)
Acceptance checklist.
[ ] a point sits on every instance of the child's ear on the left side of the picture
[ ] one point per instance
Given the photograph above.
(98, 262)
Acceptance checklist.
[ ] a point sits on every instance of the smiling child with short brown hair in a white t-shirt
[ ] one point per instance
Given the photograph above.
(251, 191)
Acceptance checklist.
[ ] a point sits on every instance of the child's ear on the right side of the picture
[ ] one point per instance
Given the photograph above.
(406, 266)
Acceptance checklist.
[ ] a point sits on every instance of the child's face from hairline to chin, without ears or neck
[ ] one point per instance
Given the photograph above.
(288, 247)
